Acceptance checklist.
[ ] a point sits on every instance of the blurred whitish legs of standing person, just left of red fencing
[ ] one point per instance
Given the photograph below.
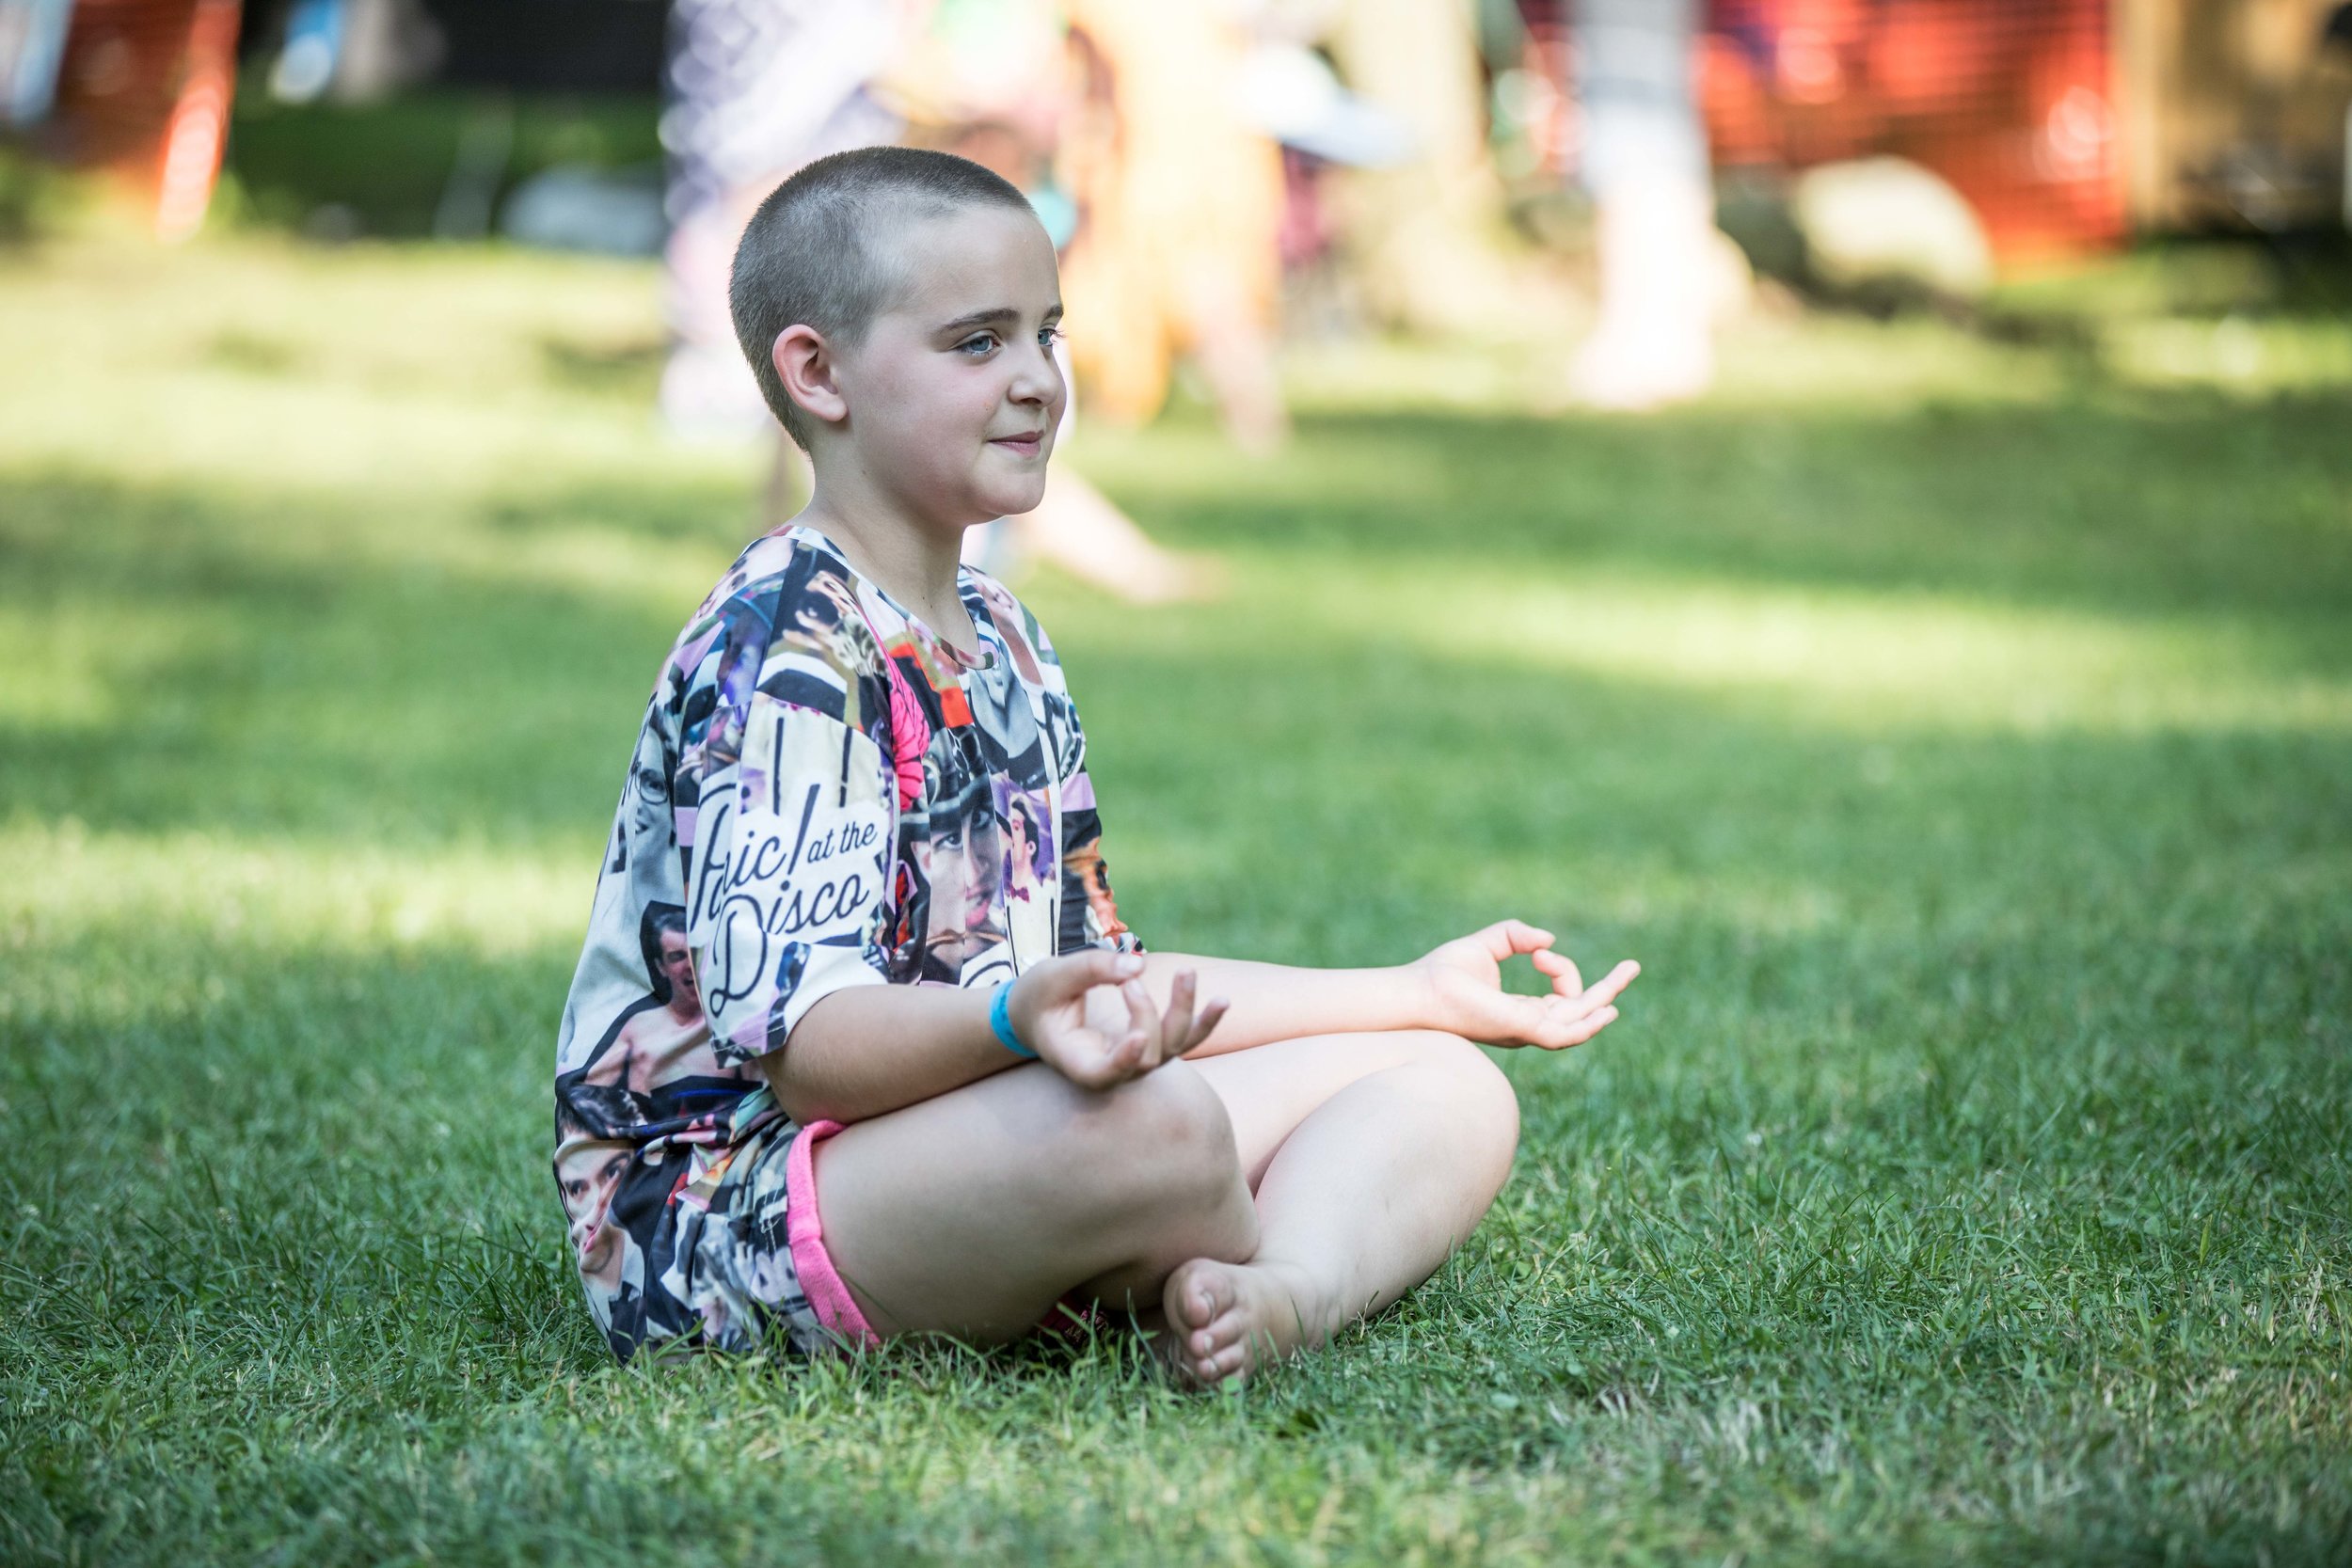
(1648, 170)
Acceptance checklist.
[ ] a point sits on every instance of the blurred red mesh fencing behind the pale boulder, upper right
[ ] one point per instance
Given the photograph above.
(2010, 100)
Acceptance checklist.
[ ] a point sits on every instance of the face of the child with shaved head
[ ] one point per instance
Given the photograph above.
(954, 396)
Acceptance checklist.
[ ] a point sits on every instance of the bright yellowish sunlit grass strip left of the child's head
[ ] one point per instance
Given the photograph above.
(415, 370)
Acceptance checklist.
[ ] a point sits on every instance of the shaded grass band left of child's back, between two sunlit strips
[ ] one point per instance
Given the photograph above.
(215, 681)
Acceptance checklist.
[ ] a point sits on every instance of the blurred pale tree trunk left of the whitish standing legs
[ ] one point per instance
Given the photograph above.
(1426, 232)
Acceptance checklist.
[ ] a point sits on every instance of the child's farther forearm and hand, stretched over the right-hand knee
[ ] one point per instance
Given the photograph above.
(1457, 989)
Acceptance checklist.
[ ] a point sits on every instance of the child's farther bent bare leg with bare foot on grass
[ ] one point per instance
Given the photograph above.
(1372, 1158)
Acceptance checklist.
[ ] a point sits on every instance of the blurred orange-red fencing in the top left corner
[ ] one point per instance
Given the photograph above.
(145, 93)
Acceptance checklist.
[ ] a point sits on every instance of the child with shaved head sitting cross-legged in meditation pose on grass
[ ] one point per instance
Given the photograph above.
(860, 1045)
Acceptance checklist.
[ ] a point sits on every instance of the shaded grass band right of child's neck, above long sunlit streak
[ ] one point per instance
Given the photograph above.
(2120, 504)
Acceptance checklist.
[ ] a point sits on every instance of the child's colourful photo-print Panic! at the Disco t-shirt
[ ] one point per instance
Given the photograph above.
(824, 796)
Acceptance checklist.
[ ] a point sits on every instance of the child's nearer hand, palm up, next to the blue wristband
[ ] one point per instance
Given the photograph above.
(1093, 1021)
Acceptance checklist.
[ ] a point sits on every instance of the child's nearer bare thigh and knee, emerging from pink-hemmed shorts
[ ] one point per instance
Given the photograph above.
(975, 1212)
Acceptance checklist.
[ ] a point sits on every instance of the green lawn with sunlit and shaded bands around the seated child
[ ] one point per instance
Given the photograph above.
(1958, 732)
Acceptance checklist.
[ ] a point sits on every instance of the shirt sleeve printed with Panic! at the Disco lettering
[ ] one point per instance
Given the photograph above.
(789, 845)
